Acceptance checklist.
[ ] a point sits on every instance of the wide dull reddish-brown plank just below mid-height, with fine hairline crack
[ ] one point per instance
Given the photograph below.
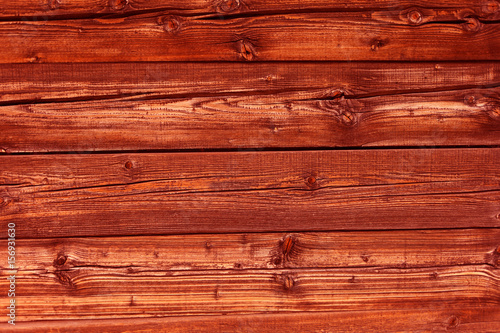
(146, 194)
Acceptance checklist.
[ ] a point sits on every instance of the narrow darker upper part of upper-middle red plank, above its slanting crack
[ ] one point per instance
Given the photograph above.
(33, 83)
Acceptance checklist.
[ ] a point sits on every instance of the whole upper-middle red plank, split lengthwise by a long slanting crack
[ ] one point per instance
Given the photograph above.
(67, 107)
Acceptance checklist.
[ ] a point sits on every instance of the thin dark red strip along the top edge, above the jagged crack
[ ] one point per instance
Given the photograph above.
(49, 9)
